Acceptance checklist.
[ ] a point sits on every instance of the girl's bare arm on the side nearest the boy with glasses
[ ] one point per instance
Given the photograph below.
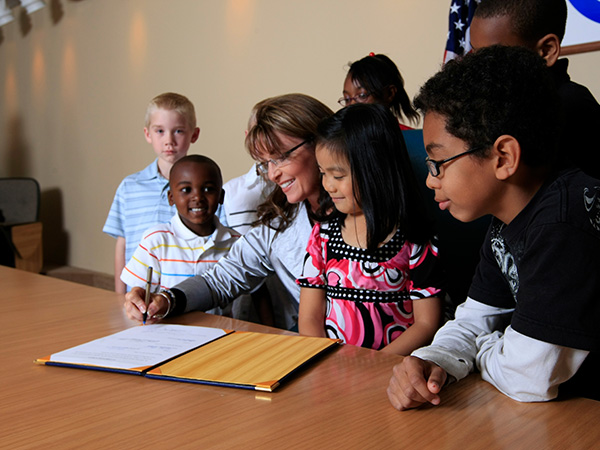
(427, 313)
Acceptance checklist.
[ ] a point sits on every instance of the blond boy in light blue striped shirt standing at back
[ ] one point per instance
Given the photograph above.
(141, 199)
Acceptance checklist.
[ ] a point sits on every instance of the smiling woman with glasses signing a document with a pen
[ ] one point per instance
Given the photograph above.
(282, 144)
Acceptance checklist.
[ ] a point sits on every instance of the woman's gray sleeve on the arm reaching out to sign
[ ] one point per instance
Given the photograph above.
(240, 272)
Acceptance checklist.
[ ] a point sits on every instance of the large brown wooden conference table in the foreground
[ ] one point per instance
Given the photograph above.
(337, 401)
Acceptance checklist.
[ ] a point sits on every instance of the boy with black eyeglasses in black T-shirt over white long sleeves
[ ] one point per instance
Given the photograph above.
(530, 322)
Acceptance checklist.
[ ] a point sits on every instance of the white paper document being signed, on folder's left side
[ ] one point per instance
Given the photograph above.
(141, 346)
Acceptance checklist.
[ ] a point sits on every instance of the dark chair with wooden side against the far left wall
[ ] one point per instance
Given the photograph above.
(20, 229)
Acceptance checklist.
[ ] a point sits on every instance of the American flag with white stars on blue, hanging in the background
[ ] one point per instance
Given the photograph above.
(459, 39)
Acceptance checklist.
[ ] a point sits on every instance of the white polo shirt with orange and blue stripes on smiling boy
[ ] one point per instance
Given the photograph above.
(176, 253)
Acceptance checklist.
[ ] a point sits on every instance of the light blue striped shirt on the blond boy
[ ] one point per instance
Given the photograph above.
(140, 202)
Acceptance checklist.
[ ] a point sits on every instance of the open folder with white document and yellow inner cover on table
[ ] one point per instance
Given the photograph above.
(197, 355)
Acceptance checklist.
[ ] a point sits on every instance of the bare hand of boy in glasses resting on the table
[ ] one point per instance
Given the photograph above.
(414, 382)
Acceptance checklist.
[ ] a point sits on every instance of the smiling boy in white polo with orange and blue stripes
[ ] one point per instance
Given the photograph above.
(194, 239)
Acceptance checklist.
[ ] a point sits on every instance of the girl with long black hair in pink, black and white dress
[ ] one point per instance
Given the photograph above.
(371, 275)
